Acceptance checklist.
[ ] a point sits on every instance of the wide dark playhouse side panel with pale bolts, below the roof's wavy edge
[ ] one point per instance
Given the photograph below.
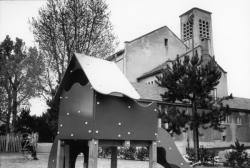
(122, 118)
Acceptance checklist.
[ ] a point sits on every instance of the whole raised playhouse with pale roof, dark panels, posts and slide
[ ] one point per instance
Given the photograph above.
(98, 107)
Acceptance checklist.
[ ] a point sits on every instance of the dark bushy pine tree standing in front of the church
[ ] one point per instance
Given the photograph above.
(191, 81)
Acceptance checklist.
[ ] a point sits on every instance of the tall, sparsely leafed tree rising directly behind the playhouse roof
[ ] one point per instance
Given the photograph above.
(65, 27)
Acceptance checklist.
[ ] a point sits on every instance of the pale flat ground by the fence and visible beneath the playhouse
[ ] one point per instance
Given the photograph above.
(14, 160)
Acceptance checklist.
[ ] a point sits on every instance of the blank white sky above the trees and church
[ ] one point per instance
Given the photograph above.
(133, 18)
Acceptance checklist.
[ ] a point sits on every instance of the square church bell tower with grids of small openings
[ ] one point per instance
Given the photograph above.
(196, 26)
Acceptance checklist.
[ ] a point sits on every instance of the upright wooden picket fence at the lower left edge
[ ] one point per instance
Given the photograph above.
(10, 143)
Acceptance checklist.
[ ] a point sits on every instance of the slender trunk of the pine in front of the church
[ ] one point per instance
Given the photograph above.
(195, 131)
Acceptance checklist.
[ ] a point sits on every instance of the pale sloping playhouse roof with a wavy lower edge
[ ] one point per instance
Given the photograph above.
(105, 77)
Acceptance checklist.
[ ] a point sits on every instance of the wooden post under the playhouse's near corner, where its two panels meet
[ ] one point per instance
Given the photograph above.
(93, 153)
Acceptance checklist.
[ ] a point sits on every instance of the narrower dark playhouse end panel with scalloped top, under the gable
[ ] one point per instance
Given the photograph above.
(76, 113)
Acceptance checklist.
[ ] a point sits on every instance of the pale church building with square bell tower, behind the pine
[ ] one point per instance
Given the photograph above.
(143, 58)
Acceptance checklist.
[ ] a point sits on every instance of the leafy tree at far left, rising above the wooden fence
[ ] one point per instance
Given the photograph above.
(19, 77)
